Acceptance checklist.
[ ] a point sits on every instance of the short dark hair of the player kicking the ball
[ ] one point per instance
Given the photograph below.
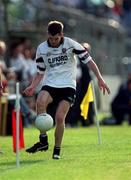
(55, 27)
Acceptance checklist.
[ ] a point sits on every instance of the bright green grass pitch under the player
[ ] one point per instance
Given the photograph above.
(82, 157)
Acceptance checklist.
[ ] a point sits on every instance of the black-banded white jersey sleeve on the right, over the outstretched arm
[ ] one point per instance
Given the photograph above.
(81, 52)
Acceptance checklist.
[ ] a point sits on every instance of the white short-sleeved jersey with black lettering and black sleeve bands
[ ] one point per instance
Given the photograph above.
(59, 64)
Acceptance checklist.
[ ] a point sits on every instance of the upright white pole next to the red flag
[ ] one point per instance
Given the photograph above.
(17, 124)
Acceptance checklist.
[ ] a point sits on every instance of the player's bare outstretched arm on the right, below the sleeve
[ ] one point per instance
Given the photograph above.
(92, 65)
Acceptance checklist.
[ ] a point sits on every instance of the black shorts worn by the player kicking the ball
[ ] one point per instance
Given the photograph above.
(59, 94)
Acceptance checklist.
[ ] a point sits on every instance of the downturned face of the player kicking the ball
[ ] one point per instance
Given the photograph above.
(55, 40)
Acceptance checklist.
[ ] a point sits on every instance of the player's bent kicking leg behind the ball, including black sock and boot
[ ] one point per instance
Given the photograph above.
(43, 100)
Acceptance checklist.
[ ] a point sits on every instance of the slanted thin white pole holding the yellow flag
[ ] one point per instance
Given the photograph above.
(96, 114)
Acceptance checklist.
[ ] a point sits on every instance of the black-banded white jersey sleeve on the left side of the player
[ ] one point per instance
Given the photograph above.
(40, 62)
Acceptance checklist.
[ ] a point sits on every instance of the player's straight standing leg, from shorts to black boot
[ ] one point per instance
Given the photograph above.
(61, 113)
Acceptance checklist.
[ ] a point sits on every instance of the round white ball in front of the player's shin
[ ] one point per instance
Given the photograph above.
(44, 122)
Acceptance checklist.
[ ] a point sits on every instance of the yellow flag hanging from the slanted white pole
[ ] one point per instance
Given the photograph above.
(85, 102)
